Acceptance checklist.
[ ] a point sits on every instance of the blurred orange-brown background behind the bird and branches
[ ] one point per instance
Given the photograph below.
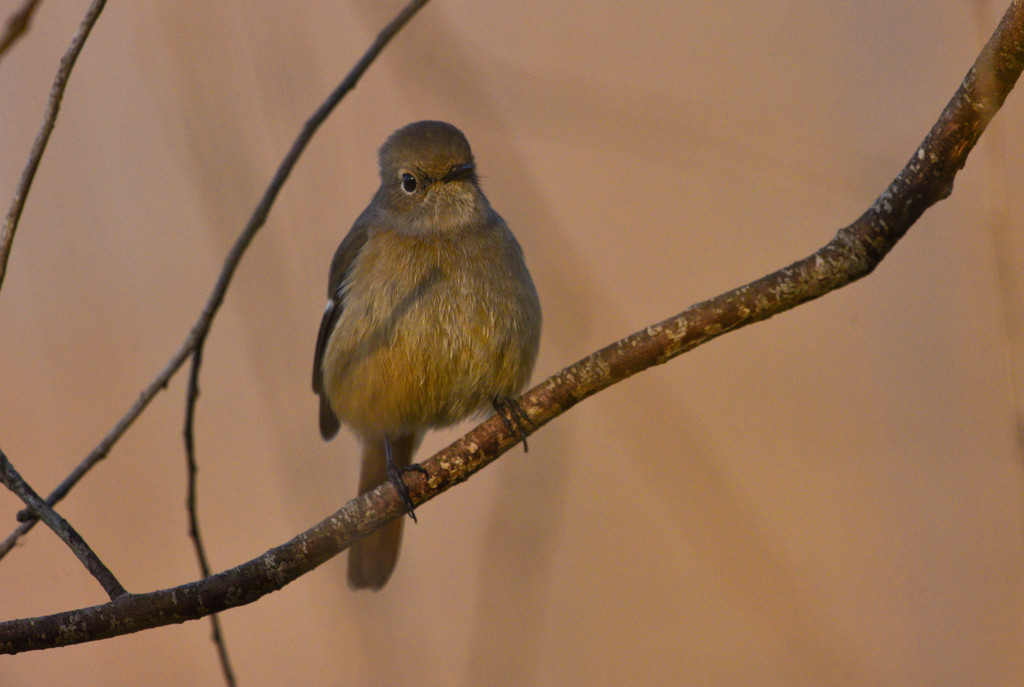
(833, 497)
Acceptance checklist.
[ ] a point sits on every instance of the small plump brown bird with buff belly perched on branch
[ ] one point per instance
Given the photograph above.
(432, 317)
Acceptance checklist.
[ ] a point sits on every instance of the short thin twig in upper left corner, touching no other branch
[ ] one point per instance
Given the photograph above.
(44, 138)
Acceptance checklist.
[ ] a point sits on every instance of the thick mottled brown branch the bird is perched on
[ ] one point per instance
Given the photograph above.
(855, 252)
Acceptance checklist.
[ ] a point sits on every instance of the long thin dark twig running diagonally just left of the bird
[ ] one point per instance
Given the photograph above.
(202, 326)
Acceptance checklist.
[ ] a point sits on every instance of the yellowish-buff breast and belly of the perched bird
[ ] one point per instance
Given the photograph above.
(425, 338)
